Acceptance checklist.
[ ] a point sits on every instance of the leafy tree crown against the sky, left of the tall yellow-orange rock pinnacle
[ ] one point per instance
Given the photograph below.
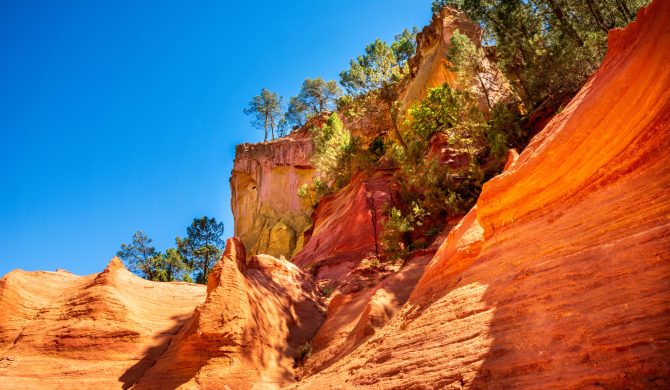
(381, 66)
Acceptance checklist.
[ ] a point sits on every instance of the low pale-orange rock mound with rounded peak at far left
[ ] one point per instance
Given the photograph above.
(59, 330)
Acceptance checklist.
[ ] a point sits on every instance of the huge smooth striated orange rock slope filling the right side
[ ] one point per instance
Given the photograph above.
(559, 277)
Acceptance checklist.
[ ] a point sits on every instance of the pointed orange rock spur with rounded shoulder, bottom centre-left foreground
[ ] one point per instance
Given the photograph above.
(247, 334)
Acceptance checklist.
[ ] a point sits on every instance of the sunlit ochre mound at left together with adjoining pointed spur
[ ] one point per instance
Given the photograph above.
(115, 330)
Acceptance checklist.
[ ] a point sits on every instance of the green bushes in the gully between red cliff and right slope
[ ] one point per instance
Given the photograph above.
(453, 119)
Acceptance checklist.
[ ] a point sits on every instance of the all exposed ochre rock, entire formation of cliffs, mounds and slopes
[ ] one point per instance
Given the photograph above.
(559, 277)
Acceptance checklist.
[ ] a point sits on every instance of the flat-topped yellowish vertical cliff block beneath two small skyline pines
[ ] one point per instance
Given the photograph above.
(270, 218)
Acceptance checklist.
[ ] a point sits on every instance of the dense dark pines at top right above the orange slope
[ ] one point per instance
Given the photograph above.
(549, 46)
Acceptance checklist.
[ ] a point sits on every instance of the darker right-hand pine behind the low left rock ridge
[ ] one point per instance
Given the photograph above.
(202, 246)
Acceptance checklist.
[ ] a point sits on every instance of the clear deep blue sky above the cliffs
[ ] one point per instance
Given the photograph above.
(124, 115)
